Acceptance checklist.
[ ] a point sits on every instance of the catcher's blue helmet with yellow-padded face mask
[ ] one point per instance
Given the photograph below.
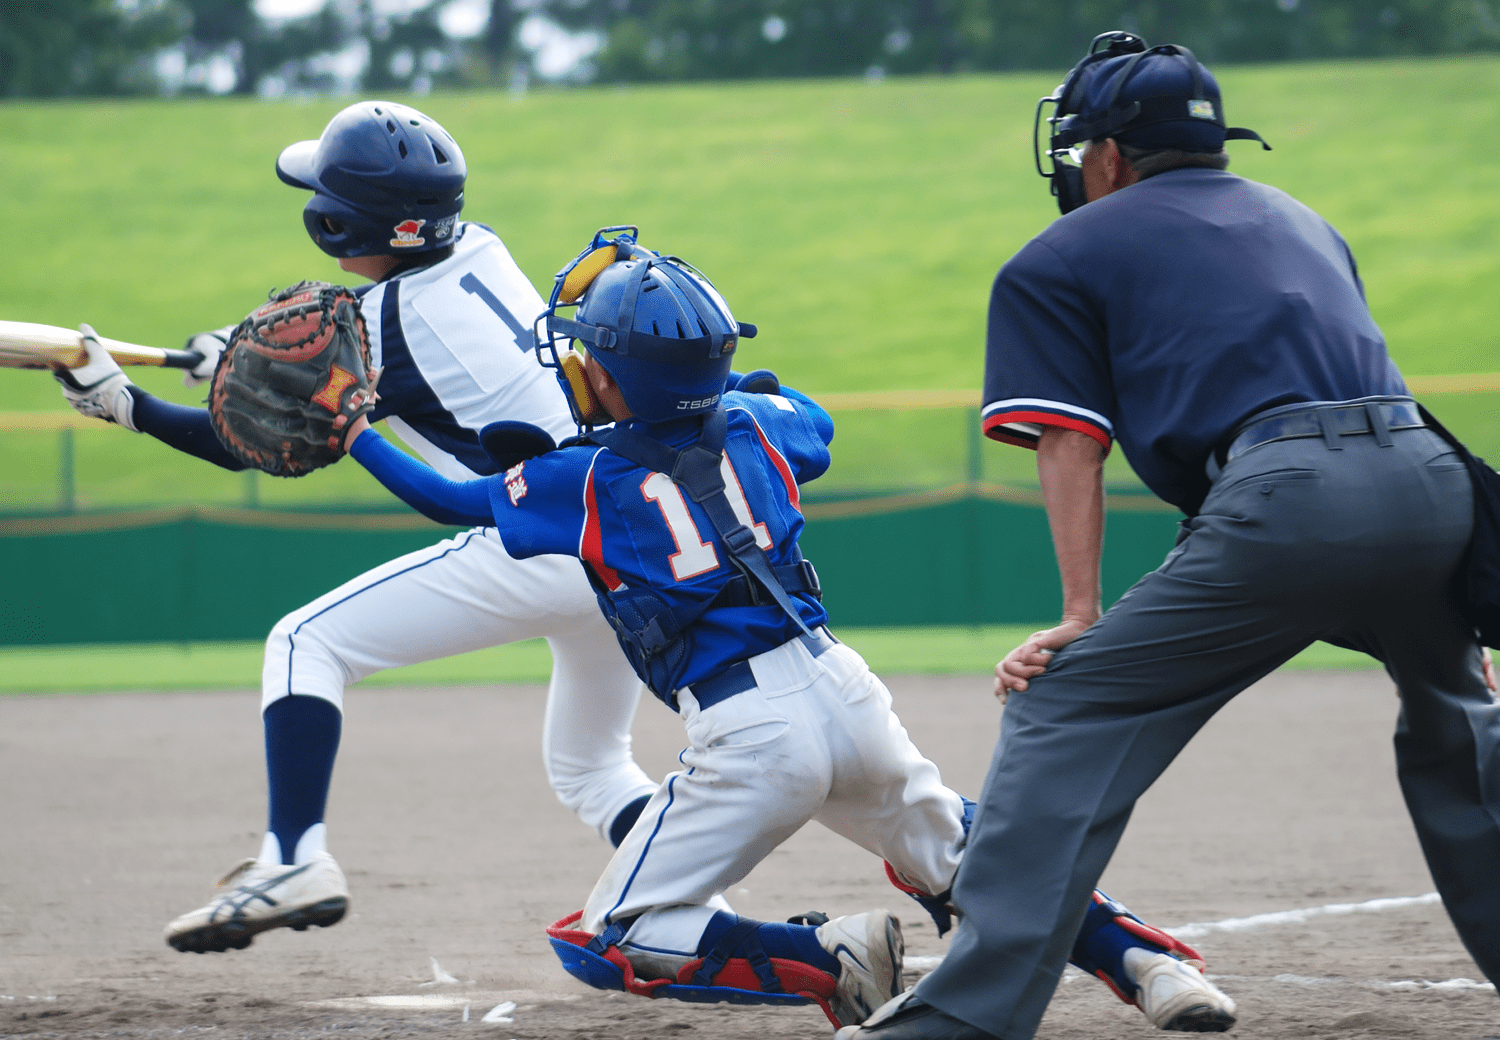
(655, 323)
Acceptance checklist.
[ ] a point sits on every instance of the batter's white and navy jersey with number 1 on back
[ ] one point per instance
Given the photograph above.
(455, 349)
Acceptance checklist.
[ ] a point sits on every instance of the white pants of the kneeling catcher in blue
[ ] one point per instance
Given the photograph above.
(817, 739)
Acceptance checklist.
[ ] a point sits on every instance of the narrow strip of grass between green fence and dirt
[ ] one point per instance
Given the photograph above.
(238, 666)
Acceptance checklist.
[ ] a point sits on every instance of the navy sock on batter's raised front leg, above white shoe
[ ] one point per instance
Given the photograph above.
(302, 741)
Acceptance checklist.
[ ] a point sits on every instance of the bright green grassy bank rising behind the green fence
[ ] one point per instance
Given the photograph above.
(859, 224)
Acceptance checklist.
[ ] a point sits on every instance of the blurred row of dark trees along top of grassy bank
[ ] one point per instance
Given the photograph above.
(100, 47)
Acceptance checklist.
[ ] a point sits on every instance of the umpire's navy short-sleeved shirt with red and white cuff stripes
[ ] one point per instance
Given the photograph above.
(1168, 313)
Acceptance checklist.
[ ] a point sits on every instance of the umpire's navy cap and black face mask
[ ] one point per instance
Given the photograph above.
(1150, 98)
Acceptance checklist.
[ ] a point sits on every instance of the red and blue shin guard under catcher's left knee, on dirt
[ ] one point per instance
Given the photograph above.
(721, 978)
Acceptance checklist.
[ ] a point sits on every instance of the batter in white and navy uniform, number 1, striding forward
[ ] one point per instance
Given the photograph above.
(449, 317)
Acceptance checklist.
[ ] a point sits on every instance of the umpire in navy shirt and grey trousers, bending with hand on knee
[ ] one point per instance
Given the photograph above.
(1217, 329)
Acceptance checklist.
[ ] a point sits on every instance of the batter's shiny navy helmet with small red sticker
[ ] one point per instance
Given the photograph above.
(386, 179)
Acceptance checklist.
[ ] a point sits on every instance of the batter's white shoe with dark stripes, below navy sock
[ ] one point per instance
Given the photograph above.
(260, 897)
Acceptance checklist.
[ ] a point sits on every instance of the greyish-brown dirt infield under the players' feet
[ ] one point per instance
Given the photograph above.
(118, 811)
